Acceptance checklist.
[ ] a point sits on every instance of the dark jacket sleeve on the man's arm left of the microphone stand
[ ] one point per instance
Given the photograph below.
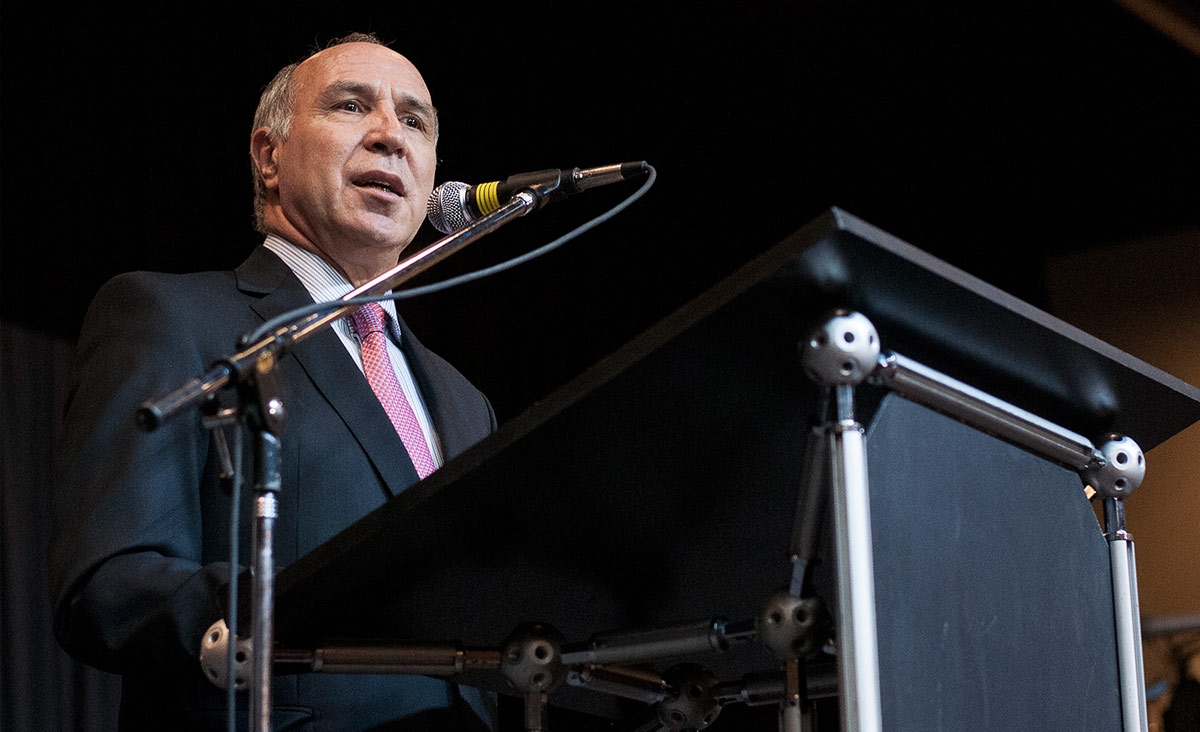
(128, 581)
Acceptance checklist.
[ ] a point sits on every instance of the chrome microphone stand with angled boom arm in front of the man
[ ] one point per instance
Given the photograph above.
(253, 371)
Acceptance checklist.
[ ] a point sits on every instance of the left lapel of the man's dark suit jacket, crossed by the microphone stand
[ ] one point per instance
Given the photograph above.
(332, 371)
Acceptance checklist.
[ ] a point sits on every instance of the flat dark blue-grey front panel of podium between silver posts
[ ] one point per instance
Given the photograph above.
(994, 599)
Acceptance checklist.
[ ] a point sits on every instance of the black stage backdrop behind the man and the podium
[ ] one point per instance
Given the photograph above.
(992, 135)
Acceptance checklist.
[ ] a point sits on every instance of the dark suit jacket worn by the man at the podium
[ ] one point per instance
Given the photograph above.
(140, 557)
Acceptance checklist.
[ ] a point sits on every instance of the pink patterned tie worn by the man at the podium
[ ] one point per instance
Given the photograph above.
(369, 325)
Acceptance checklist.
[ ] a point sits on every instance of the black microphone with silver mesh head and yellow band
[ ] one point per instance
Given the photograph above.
(454, 205)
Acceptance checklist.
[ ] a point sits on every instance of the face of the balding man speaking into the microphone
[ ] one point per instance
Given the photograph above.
(359, 163)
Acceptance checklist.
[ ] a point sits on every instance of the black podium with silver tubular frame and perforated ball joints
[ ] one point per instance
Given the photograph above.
(667, 489)
